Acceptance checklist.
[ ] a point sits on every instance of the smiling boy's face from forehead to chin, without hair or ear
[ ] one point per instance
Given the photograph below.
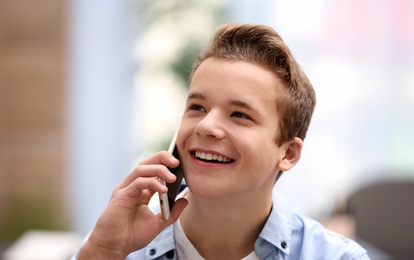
(227, 136)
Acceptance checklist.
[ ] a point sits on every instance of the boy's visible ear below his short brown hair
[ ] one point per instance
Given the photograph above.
(292, 152)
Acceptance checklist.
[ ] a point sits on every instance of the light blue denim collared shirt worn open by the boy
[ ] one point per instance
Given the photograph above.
(285, 236)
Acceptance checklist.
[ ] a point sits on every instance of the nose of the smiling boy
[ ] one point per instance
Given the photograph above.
(211, 125)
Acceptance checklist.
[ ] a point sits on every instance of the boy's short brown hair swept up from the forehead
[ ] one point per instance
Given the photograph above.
(262, 45)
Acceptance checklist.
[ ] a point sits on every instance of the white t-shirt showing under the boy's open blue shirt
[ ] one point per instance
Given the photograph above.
(186, 250)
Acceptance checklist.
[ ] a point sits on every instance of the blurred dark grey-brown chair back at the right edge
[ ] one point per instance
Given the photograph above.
(384, 214)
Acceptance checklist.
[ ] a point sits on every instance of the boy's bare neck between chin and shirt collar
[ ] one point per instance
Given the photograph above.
(226, 229)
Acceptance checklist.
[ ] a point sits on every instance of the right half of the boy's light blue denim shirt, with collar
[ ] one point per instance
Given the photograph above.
(295, 236)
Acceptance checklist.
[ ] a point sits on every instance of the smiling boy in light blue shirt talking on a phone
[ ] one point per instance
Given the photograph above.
(248, 110)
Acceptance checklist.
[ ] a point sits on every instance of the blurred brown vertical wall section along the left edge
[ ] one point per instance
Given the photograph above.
(32, 88)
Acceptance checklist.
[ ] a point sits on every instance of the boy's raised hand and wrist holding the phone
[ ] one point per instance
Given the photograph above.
(127, 224)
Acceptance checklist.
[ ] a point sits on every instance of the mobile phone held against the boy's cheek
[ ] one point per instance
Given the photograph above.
(167, 199)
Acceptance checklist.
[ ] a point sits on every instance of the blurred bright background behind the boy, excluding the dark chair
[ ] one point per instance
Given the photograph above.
(89, 88)
